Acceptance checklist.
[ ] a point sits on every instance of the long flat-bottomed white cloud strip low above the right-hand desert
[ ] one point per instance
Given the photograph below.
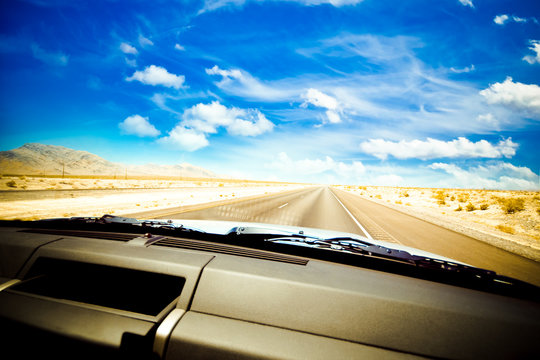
(434, 149)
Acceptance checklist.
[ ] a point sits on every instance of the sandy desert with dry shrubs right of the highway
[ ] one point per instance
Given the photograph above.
(507, 219)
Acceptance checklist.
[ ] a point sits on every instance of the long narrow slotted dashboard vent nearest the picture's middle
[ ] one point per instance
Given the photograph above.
(229, 249)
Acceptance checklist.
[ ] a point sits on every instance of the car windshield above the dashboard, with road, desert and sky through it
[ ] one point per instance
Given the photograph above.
(414, 123)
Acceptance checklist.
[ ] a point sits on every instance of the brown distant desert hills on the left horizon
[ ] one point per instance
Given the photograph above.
(36, 159)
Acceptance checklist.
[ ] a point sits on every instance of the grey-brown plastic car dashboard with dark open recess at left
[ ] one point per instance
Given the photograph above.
(84, 294)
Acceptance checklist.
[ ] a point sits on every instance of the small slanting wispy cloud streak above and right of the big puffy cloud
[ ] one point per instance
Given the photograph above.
(241, 83)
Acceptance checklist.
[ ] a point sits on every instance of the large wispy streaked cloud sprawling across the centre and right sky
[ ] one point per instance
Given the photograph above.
(405, 90)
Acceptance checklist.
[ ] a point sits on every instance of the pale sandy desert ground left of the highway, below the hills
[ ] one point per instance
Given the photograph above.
(44, 197)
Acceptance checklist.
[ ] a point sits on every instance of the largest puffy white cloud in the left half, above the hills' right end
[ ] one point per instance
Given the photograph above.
(202, 119)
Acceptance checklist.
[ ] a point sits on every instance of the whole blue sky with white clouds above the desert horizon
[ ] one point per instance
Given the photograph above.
(410, 93)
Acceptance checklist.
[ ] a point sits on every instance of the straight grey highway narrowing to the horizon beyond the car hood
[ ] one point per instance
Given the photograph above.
(322, 207)
